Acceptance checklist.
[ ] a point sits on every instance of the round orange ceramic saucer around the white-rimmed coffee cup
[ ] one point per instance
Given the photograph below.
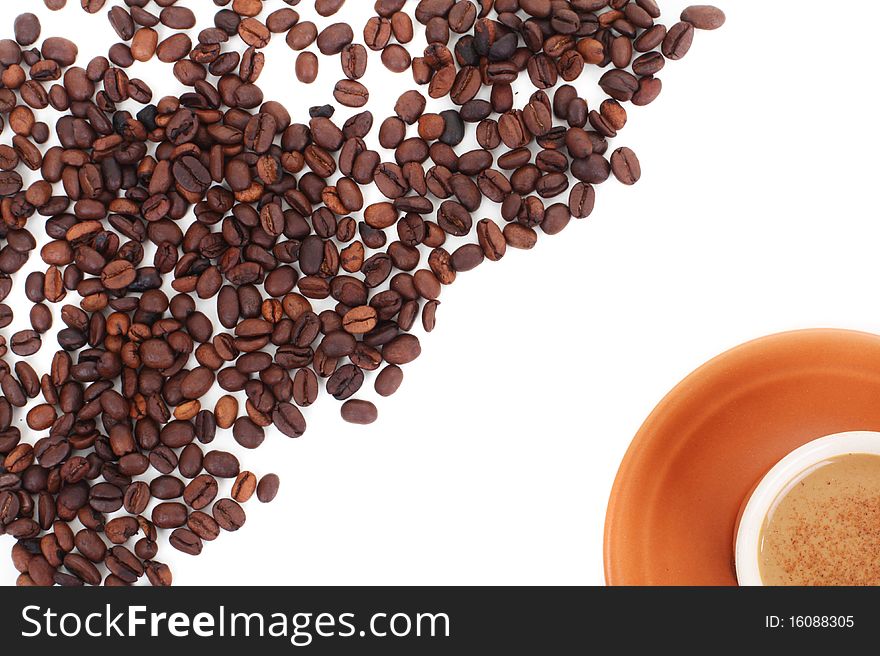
(677, 496)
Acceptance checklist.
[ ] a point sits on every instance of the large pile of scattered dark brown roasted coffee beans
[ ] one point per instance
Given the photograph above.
(219, 195)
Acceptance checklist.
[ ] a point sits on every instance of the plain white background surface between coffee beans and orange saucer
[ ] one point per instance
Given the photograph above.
(756, 213)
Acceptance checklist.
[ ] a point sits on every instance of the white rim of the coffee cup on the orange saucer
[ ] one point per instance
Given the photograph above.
(812, 453)
